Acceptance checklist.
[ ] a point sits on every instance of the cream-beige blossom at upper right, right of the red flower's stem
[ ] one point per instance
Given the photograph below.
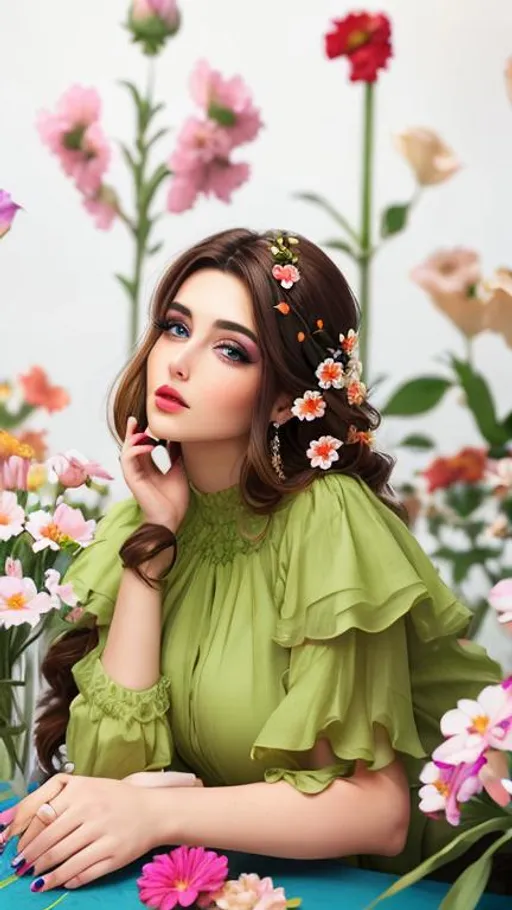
(430, 159)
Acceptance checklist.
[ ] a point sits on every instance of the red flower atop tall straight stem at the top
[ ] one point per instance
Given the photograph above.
(365, 38)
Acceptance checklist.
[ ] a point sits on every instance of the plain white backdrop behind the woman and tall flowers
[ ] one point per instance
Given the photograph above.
(60, 305)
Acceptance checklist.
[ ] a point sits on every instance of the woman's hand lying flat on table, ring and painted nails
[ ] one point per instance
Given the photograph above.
(100, 825)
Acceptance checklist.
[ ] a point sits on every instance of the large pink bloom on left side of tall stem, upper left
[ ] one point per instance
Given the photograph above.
(74, 134)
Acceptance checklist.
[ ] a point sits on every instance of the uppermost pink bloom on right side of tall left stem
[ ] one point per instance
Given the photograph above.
(226, 101)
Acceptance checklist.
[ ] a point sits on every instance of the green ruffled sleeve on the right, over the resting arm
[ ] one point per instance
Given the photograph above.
(372, 633)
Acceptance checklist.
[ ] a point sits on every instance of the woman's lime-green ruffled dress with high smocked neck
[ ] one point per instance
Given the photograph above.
(325, 620)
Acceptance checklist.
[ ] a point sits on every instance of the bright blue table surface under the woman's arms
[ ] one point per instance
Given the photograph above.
(322, 885)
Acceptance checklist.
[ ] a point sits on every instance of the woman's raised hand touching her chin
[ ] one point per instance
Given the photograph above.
(163, 498)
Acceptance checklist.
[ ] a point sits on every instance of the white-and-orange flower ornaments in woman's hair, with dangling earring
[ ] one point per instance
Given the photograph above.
(340, 369)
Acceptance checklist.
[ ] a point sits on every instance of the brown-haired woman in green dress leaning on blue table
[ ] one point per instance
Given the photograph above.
(259, 614)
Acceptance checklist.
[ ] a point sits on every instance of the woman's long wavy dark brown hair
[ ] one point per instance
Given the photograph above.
(322, 293)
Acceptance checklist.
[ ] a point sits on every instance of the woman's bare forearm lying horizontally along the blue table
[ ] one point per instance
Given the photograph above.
(368, 814)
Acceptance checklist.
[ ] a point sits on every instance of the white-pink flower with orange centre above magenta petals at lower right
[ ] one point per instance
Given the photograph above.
(475, 726)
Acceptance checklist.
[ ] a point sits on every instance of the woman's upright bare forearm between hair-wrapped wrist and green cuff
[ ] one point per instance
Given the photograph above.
(132, 652)
